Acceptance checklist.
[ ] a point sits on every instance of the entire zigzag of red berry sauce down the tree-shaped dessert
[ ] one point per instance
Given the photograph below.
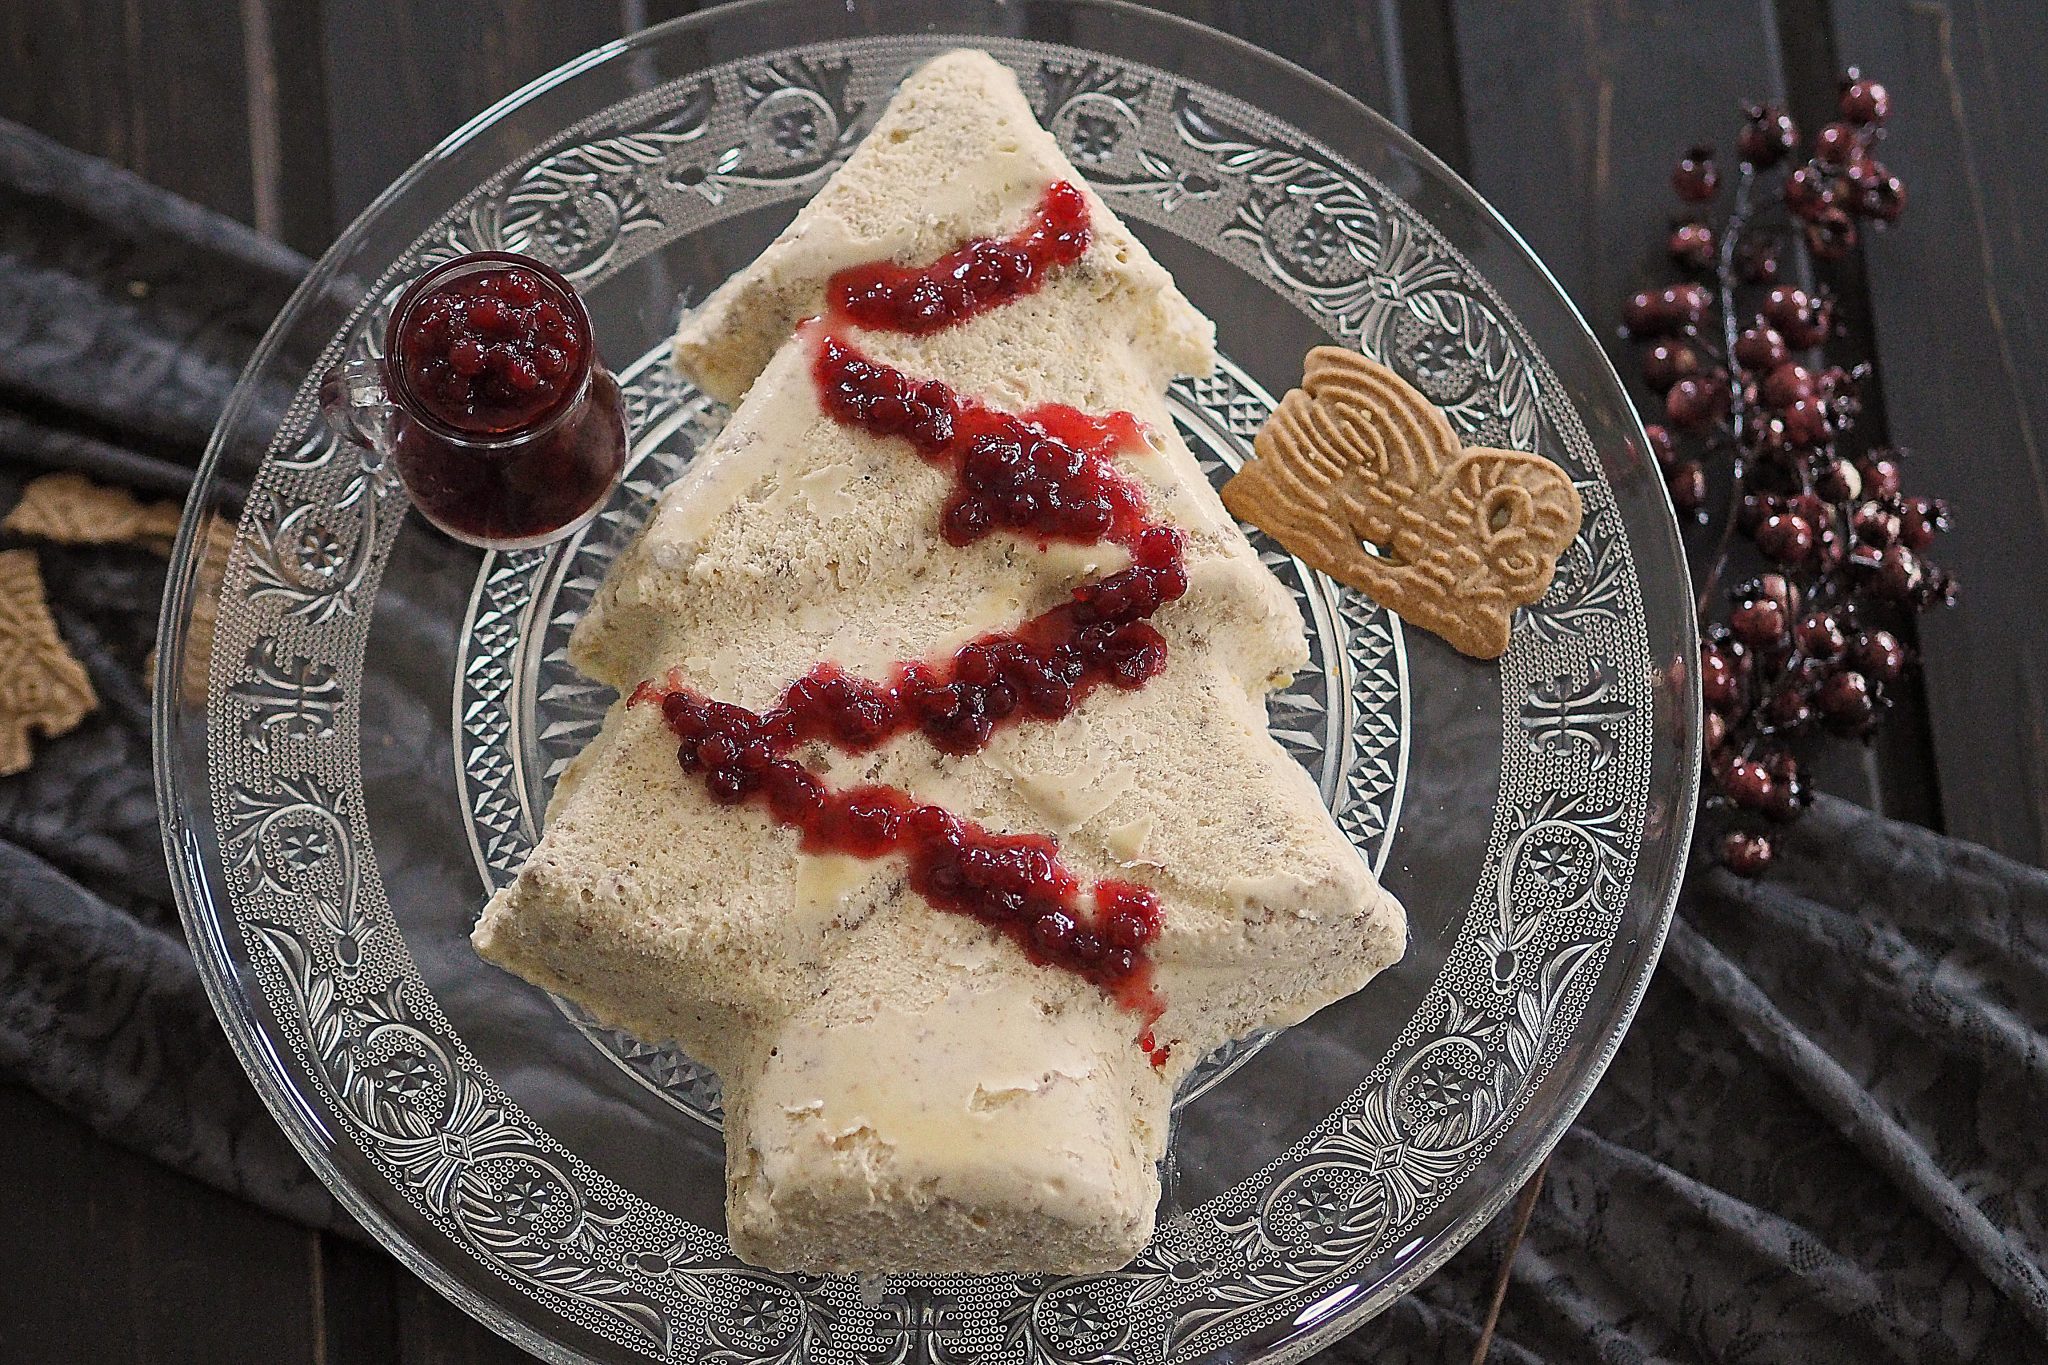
(1048, 476)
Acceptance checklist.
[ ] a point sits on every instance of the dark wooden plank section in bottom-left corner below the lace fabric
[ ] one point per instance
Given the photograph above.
(112, 1258)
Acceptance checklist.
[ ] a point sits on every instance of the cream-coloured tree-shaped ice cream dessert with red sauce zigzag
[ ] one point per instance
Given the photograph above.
(941, 818)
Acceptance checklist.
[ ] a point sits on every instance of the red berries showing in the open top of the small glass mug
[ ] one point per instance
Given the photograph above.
(490, 351)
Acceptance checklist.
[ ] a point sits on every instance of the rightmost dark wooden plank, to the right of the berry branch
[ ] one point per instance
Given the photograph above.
(1961, 304)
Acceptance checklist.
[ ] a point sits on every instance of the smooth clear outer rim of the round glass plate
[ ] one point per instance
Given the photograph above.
(1664, 848)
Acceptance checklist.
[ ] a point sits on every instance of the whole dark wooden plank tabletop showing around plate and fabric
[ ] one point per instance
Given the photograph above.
(292, 116)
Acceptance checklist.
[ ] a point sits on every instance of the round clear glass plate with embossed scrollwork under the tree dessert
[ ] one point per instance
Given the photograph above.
(359, 719)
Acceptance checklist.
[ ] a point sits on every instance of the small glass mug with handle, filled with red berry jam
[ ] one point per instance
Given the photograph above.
(490, 402)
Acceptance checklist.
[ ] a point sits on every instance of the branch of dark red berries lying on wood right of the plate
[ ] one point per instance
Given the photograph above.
(1809, 646)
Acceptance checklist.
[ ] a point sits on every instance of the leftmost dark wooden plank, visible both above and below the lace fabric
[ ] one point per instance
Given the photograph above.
(112, 1256)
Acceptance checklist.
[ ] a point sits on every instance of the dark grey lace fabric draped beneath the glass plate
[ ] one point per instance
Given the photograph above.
(1826, 1137)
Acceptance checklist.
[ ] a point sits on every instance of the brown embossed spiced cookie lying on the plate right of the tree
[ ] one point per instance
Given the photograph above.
(1465, 533)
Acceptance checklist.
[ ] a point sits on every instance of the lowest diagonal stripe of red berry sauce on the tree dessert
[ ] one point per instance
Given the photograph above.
(1015, 883)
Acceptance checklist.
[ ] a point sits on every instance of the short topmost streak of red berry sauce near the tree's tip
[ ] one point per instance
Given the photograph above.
(978, 277)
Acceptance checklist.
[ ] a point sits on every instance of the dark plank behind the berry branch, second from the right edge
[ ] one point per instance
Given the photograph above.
(1621, 93)
